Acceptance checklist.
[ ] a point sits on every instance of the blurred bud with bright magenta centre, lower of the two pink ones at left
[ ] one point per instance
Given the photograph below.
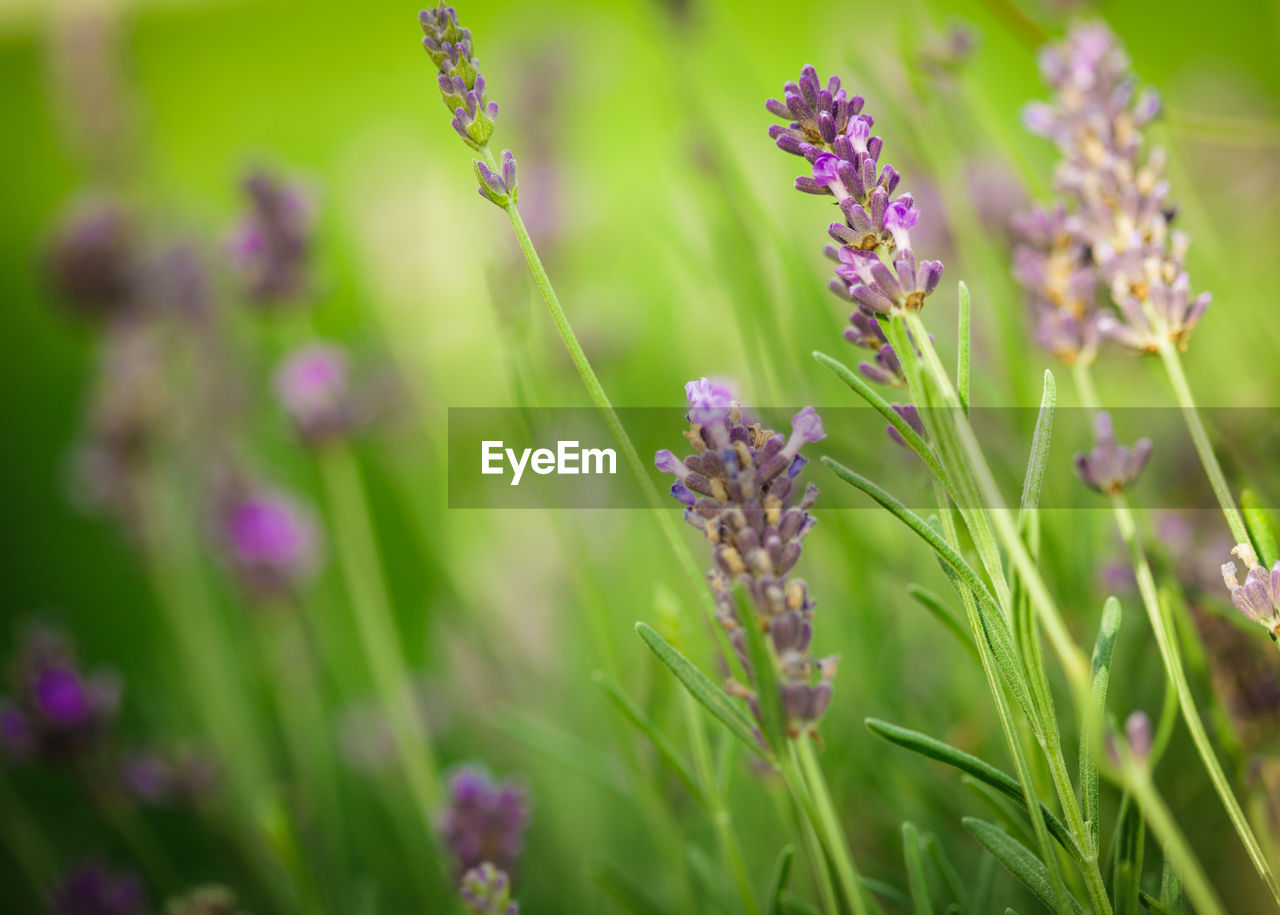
(271, 542)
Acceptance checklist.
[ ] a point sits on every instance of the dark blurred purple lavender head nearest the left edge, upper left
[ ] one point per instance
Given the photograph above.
(93, 260)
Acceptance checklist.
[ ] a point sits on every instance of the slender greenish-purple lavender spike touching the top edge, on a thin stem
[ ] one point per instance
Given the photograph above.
(464, 94)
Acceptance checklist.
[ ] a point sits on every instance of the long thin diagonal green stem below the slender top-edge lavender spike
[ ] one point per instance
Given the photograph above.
(596, 391)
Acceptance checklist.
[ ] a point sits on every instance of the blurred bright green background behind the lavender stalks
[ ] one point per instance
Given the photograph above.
(669, 223)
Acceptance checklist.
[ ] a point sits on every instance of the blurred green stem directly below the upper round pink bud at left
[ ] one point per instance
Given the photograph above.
(358, 553)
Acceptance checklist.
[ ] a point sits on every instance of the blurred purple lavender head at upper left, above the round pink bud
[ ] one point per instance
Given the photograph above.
(272, 246)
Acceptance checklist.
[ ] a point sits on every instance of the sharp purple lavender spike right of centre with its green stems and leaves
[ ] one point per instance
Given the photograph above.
(879, 271)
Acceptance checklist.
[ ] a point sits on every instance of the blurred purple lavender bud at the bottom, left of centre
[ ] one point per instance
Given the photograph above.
(484, 821)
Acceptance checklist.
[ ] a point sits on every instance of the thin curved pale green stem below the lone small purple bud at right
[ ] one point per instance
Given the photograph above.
(1172, 657)
